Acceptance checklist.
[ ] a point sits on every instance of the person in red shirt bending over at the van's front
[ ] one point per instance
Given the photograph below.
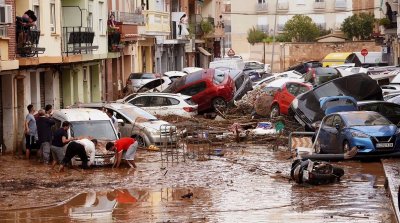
(126, 146)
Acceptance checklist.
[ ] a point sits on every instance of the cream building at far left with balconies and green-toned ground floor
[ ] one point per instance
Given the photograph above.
(59, 61)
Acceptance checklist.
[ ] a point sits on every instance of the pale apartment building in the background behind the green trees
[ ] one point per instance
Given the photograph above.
(271, 15)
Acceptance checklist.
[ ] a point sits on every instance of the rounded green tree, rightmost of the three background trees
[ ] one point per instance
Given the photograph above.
(358, 26)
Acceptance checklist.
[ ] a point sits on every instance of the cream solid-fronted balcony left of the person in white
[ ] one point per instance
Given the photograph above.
(157, 23)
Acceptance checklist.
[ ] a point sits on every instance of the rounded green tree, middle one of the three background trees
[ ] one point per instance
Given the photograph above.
(301, 28)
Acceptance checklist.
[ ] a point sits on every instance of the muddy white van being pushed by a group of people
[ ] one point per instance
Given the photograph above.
(89, 123)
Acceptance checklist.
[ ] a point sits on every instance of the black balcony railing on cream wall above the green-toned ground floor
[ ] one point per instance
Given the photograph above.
(78, 40)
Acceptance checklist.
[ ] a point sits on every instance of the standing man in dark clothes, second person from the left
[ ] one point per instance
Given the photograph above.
(44, 125)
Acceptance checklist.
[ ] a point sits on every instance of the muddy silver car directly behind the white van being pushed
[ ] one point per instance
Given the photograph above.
(137, 123)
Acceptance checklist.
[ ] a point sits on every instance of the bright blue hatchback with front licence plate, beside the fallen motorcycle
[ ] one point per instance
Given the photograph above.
(369, 131)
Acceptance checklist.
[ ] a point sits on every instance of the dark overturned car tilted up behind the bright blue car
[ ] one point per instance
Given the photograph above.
(306, 107)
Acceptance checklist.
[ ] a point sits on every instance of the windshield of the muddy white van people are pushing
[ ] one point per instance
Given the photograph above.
(101, 130)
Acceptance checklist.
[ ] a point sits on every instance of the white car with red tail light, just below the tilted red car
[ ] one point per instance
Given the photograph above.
(164, 104)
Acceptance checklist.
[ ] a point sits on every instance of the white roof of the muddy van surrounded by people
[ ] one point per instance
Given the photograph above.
(80, 114)
